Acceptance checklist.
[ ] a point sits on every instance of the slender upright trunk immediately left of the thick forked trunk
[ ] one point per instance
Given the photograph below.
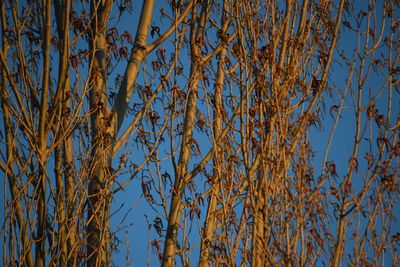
(63, 153)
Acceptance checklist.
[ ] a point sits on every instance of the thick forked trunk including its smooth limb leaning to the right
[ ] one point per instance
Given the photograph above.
(106, 124)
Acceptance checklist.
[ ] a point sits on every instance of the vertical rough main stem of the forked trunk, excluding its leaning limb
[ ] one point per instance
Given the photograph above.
(98, 233)
